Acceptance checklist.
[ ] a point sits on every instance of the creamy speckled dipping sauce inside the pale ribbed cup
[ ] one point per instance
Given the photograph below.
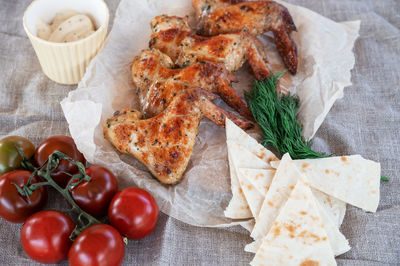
(66, 26)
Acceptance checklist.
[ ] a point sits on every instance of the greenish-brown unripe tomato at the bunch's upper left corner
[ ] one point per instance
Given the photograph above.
(10, 159)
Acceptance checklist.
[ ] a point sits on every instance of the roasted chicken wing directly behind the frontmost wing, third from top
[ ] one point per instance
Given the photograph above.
(157, 83)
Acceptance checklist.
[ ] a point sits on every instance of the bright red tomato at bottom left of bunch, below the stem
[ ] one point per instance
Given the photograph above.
(45, 236)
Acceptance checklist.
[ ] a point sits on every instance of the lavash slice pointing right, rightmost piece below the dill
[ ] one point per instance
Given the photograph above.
(352, 179)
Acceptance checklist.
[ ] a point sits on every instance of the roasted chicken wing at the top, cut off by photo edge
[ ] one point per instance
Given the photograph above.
(255, 17)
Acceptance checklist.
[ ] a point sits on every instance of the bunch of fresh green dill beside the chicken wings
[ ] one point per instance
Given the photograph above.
(276, 115)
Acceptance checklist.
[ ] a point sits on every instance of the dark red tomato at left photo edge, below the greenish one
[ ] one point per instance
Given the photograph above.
(14, 207)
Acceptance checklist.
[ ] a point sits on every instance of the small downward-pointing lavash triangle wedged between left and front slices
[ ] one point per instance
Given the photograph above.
(255, 184)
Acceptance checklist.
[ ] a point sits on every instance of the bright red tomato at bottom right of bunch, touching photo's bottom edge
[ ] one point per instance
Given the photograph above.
(99, 244)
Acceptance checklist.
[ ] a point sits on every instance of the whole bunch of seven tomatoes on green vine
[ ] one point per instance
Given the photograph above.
(100, 220)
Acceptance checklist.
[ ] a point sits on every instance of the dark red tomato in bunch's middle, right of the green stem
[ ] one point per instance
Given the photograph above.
(95, 196)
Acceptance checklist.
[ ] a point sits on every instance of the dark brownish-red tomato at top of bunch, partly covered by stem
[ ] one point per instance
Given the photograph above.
(65, 145)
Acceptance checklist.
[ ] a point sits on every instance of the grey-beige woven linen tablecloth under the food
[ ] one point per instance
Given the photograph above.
(365, 121)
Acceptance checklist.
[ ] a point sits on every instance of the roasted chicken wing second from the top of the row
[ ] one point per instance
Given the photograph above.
(173, 36)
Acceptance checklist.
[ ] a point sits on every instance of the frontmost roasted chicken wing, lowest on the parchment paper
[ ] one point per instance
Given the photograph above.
(164, 143)
